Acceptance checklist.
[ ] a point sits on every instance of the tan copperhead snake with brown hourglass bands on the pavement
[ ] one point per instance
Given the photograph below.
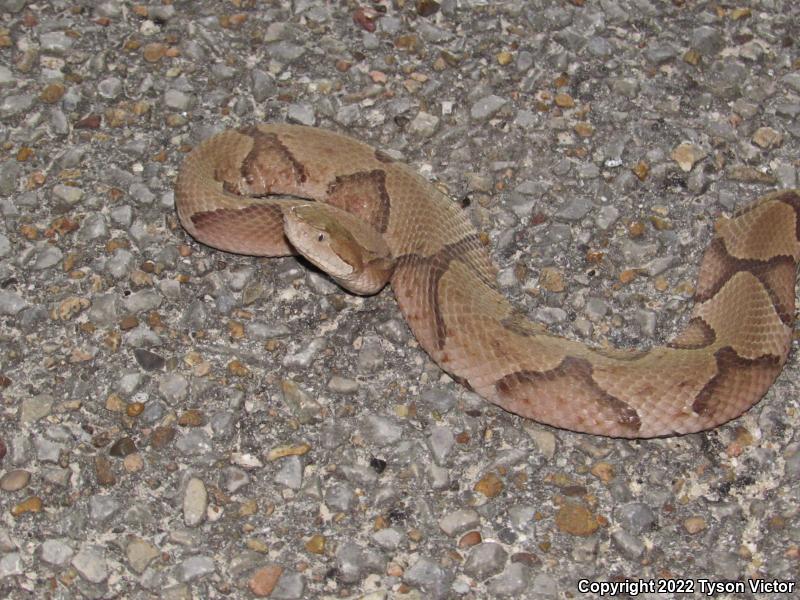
(374, 219)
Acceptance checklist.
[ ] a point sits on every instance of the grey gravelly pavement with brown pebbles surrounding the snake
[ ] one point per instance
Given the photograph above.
(182, 423)
